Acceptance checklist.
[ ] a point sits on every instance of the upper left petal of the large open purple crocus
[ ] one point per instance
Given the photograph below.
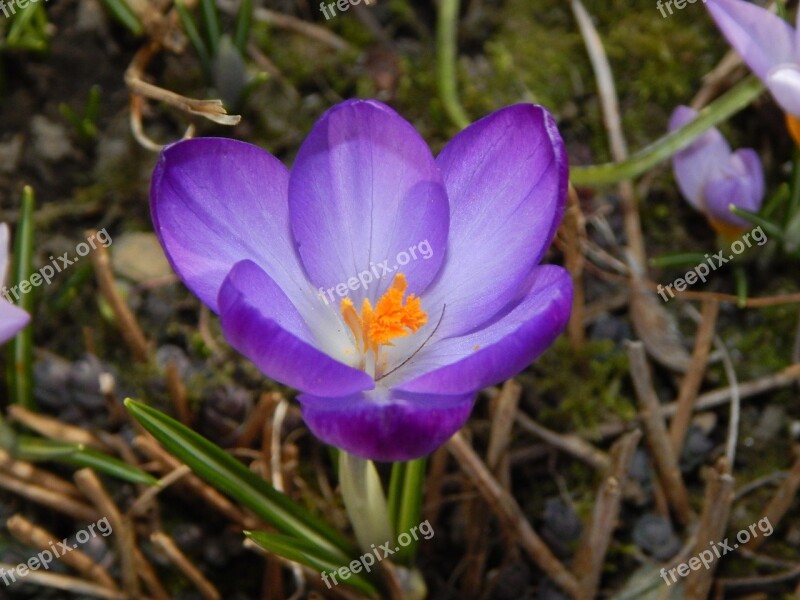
(217, 201)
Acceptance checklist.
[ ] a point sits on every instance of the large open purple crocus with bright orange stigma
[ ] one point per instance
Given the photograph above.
(391, 371)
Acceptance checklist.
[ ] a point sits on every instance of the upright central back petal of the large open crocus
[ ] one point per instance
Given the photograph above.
(363, 189)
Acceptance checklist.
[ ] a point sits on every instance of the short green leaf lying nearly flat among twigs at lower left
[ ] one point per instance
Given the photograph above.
(40, 449)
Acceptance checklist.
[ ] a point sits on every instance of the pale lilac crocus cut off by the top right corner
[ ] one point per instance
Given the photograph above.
(770, 48)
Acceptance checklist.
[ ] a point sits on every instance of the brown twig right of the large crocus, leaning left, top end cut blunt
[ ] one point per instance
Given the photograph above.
(661, 449)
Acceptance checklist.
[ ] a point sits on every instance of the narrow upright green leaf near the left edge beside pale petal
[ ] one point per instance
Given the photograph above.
(20, 371)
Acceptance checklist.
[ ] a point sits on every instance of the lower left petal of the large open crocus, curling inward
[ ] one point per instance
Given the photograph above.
(286, 356)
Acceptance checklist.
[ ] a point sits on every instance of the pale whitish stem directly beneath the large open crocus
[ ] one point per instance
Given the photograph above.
(365, 501)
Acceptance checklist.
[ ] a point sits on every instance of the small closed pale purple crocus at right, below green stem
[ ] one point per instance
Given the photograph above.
(712, 178)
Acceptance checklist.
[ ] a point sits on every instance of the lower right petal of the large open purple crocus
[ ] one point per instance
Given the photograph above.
(502, 349)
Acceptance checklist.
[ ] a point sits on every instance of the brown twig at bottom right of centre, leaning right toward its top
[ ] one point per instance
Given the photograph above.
(589, 558)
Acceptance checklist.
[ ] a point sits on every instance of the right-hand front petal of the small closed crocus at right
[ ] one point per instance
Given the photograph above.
(740, 184)
